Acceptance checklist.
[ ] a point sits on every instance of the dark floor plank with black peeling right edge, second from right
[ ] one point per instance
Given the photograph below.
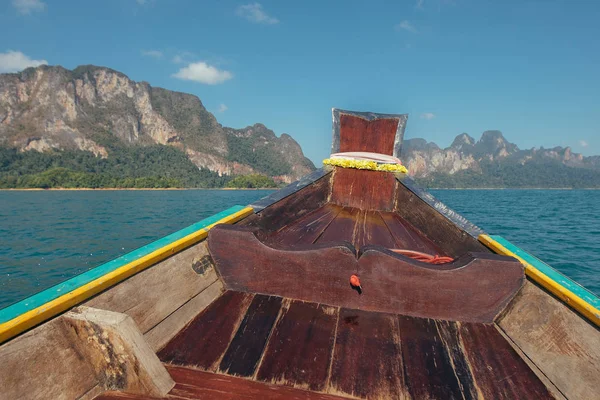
(429, 369)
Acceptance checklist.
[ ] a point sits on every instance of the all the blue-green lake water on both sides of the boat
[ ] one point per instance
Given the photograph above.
(49, 236)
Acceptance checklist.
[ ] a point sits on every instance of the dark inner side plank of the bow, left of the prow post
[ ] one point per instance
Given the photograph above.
(289, 209)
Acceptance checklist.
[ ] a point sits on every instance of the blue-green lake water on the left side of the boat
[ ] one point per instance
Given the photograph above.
(47, 237)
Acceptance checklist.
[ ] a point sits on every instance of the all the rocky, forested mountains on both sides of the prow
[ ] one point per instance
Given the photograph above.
(94, 127)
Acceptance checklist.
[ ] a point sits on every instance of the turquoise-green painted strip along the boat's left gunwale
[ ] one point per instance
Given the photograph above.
(45, 296)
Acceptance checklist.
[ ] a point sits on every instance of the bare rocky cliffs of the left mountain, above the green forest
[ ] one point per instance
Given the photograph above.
(92, 108)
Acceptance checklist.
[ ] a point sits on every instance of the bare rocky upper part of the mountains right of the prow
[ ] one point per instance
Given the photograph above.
(425, 159)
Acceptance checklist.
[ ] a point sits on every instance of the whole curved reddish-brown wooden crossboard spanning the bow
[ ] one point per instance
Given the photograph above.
(472, 288)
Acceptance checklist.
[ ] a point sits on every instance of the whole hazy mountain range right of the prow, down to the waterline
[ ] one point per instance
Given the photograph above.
(492, 161)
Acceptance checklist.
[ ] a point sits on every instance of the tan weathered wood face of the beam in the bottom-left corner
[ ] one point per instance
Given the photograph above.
(32, 364)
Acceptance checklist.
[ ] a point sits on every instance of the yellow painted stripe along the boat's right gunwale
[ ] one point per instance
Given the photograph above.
(564, 294)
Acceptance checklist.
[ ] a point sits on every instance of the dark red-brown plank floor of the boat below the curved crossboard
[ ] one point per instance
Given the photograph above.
(319, 349)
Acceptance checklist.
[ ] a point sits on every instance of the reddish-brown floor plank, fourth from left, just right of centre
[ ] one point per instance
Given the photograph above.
(367, 358)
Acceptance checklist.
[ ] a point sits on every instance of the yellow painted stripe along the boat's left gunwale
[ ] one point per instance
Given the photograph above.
(31, 318)
